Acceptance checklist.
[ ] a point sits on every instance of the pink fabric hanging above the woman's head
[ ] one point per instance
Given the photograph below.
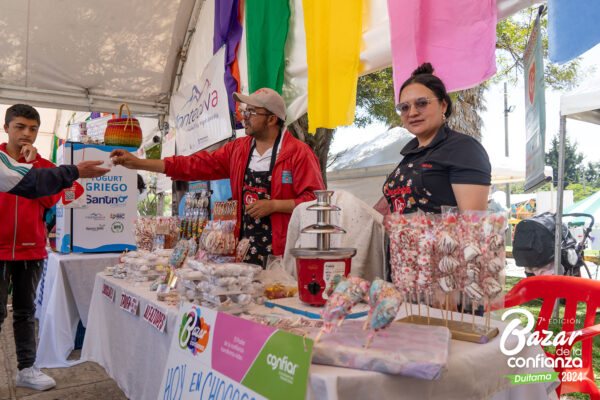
(458, 37)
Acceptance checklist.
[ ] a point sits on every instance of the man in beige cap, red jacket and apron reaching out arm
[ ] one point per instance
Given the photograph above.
(269, 170)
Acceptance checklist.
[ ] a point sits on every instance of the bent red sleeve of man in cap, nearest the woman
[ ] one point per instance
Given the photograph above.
(309, 177)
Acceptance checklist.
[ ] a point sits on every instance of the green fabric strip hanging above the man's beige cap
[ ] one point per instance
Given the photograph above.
(267, 24)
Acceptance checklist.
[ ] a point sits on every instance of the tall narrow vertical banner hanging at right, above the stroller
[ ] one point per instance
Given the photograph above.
(535, 110)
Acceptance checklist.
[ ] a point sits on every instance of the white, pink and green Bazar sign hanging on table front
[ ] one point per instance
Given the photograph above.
(217, 355)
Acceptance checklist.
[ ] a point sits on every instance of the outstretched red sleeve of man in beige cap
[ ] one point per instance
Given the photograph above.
(201, 166)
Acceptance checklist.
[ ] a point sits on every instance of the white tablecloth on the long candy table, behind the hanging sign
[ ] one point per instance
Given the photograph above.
(134, 354)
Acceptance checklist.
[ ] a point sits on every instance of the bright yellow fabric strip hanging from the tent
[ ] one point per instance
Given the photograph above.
(333, 39)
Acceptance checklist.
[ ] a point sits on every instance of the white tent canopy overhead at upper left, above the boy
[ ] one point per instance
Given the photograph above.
(91, 55)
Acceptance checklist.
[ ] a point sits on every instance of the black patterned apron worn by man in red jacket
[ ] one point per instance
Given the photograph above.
(257, 186)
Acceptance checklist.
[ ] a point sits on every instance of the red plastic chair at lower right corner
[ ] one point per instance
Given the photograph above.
(573, 290)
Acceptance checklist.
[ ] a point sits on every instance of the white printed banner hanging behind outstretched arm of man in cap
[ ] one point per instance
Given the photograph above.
(199, 110)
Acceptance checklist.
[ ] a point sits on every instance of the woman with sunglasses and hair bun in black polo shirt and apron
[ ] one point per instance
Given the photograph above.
(441, 167)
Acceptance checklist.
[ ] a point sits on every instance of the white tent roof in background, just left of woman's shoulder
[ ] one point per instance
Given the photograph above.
(381, 150)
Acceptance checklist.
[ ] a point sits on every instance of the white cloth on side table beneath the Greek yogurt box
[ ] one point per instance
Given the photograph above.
(63, 298)
